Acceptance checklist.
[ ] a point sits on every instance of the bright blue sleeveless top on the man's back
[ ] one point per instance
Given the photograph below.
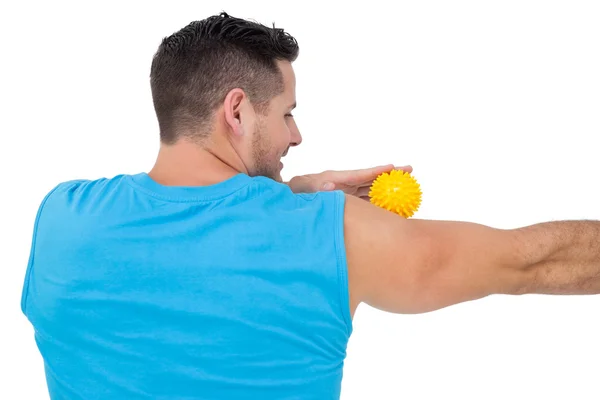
(236, 290)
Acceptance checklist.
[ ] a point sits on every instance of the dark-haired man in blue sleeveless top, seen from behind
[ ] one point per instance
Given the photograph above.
(209, 278)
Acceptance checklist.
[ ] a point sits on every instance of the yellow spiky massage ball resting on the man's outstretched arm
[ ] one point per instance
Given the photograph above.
(396, 191)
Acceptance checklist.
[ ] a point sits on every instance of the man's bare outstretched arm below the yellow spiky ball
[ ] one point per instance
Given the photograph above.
(414, 266)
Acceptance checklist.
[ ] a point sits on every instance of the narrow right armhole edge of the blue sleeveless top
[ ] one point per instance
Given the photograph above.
(342, 264)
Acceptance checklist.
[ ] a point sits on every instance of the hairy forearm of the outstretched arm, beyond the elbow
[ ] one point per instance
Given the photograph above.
(561, 257)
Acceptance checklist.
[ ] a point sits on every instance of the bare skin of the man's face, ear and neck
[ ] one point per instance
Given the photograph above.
(242, 141)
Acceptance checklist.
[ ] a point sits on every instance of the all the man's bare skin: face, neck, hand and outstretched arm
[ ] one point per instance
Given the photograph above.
(394, 264)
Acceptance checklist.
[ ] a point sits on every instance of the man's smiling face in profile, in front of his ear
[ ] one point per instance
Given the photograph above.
(276, 132)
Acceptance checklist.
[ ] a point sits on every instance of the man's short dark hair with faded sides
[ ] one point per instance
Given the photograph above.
(194, 69)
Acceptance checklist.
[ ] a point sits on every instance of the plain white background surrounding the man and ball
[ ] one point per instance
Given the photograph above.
(495, 104)
